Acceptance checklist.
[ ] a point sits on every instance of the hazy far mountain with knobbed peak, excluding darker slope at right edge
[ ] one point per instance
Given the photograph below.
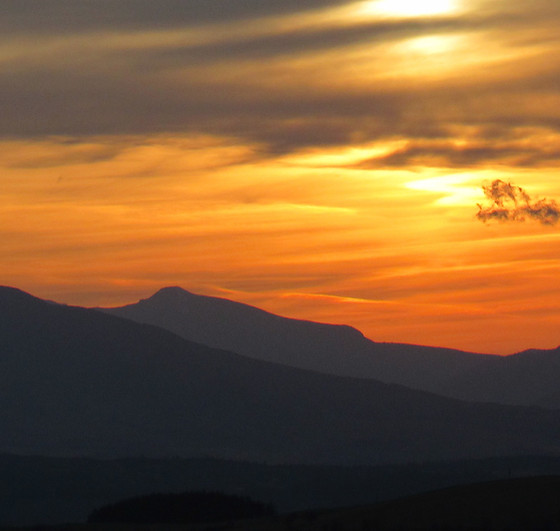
(332, 349)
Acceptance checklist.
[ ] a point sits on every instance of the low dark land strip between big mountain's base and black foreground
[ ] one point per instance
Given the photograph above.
(46, 490)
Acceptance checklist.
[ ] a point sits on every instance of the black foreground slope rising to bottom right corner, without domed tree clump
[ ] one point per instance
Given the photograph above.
(509, 505)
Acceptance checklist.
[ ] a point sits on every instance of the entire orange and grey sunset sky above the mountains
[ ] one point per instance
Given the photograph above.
(388, 164)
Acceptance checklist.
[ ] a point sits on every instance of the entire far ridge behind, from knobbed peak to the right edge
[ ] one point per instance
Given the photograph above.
(527, 378)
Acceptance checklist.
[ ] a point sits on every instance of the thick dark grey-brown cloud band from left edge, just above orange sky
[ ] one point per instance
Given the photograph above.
(96, 102)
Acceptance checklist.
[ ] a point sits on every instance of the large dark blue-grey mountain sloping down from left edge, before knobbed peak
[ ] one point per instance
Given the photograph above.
(80, 382)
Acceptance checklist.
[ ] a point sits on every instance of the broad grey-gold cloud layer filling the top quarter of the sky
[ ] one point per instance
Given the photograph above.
(124, 68)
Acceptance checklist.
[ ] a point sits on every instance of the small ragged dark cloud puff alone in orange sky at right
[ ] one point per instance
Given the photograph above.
(507, 202)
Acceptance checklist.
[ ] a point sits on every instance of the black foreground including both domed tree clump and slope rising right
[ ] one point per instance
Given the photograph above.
(523, 504)
